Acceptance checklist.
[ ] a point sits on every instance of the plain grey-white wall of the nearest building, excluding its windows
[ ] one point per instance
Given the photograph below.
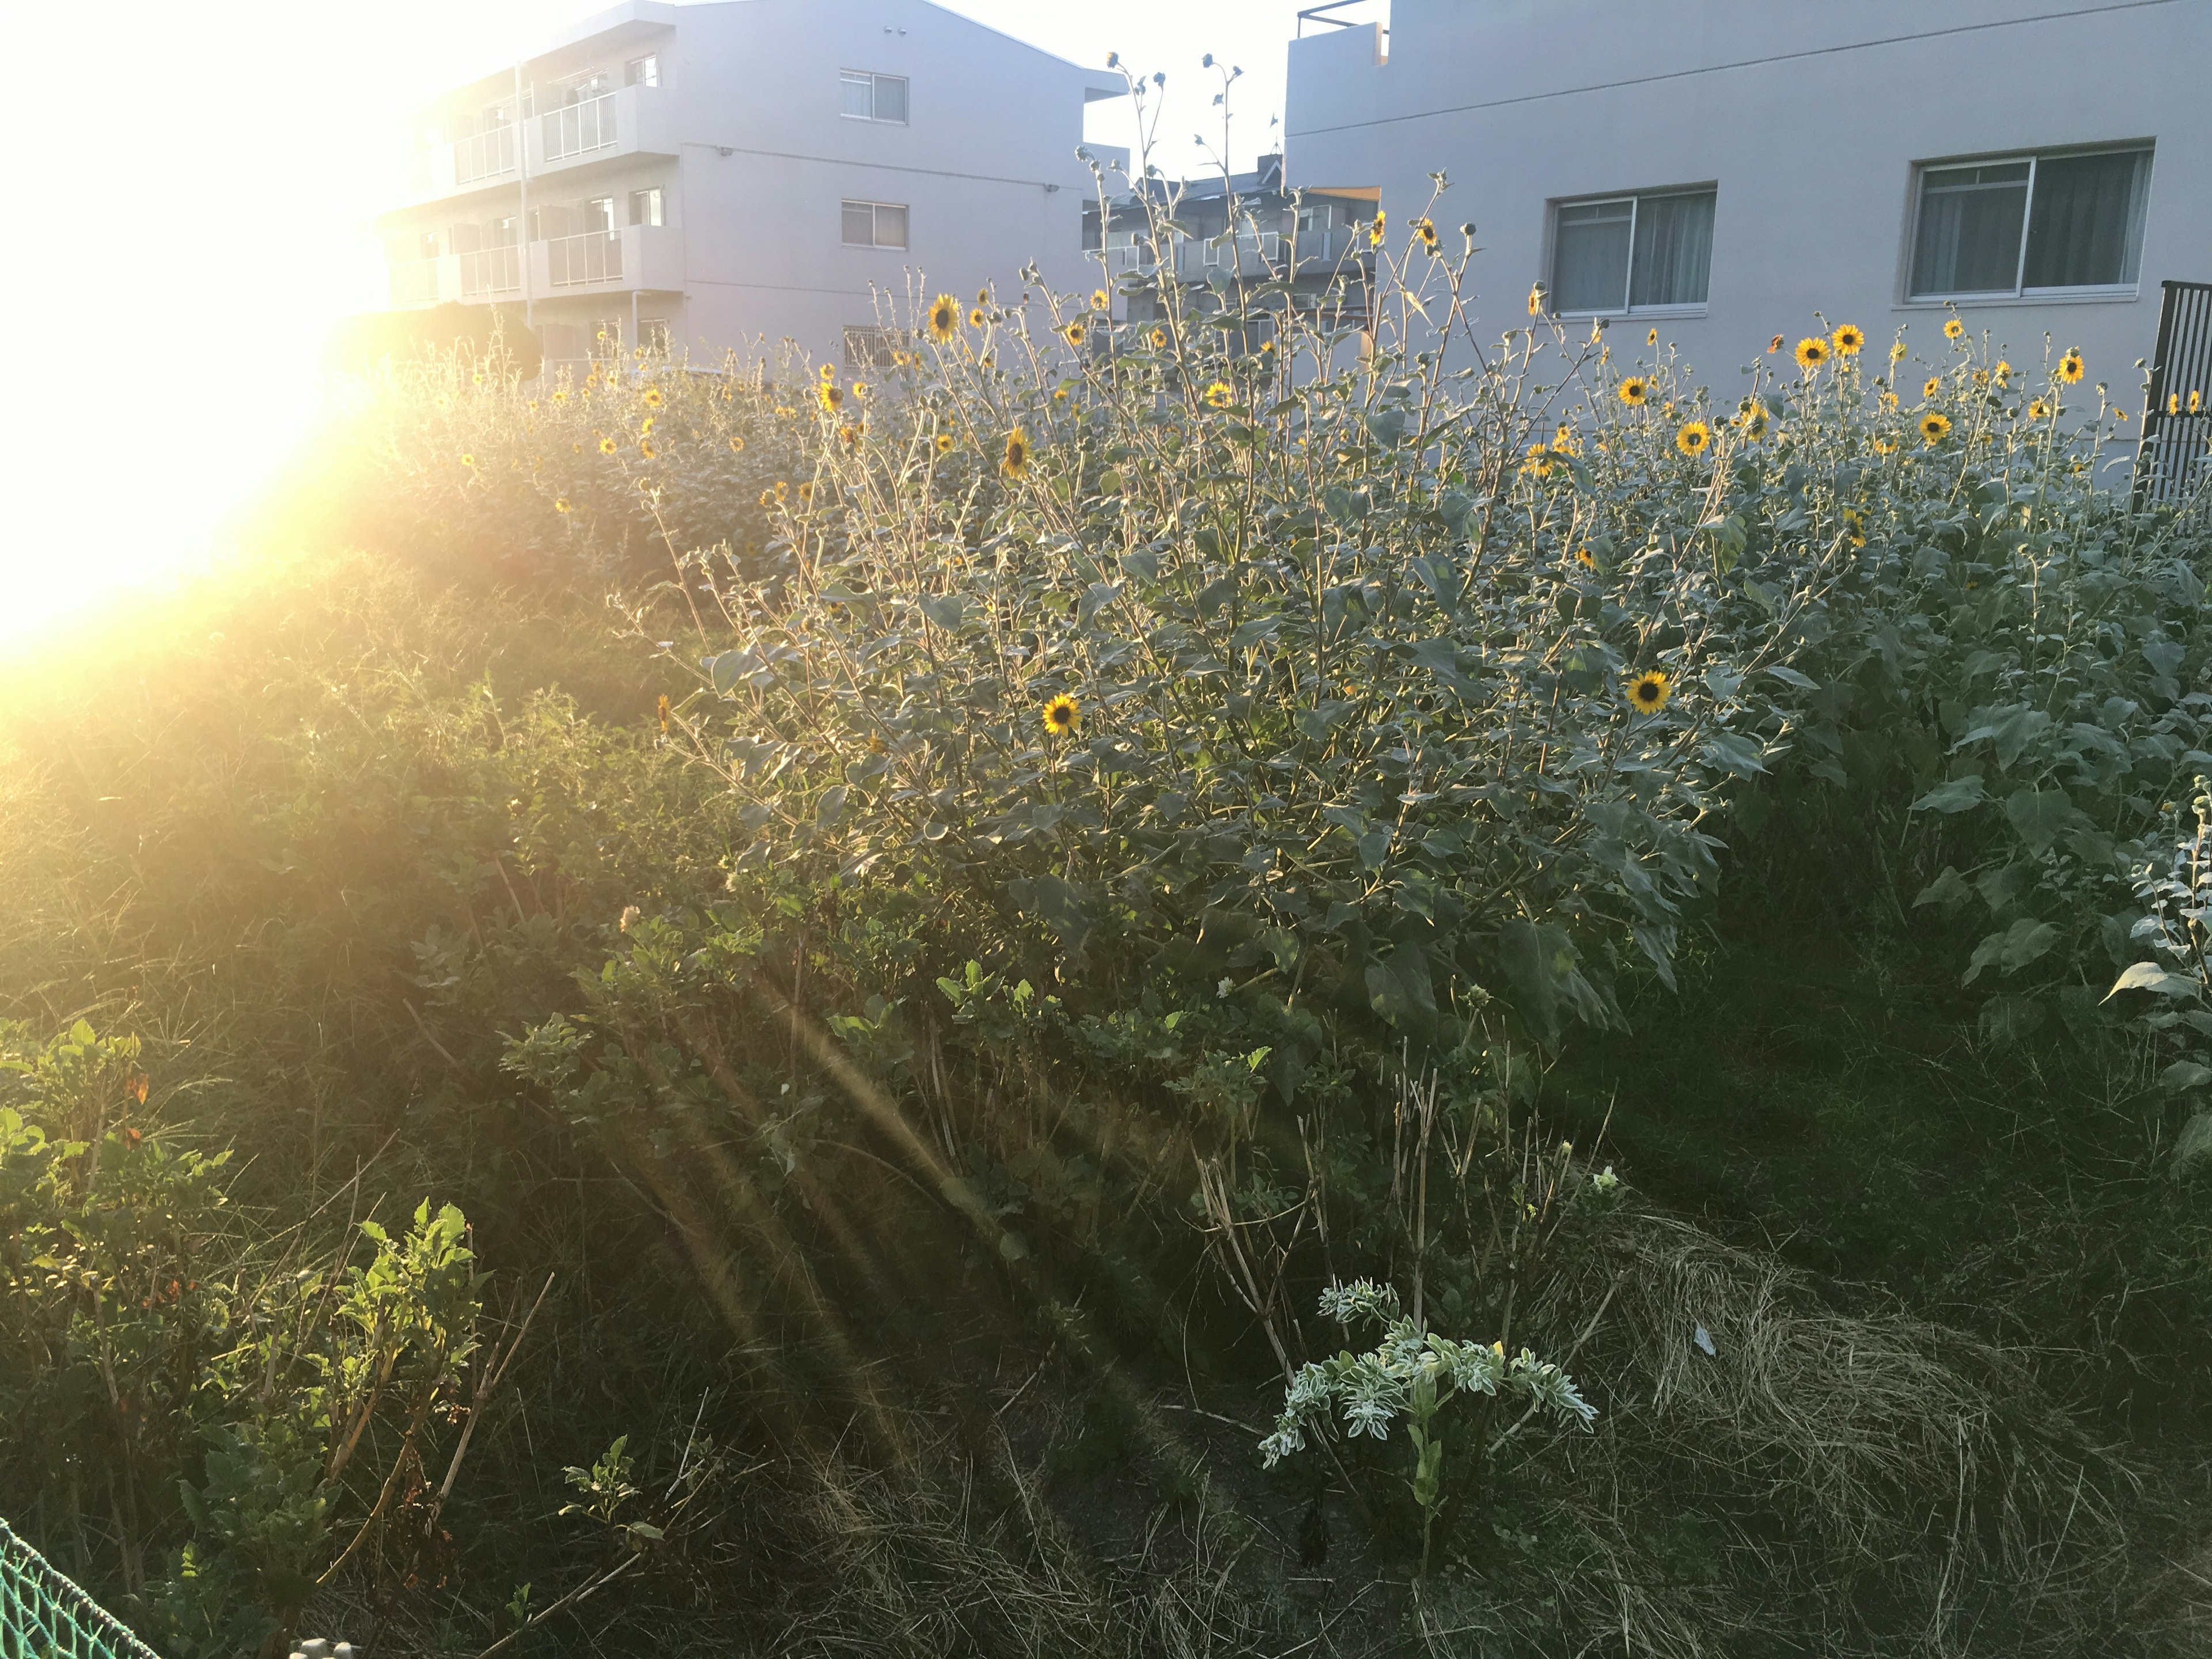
(1808, 118)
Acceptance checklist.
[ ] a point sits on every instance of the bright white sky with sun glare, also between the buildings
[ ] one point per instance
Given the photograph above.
(205, 216)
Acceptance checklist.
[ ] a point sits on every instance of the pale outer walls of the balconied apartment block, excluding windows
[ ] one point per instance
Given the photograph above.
(755, 158)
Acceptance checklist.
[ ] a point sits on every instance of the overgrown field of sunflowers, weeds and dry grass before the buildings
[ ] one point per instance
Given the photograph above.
(811, 1105)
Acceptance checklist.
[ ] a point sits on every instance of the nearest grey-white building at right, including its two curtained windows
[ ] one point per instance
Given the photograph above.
(1733, 167)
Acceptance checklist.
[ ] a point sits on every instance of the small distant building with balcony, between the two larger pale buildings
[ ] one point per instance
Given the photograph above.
(1317, 240)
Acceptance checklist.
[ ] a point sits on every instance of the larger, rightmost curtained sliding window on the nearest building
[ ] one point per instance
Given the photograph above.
(2032, 225)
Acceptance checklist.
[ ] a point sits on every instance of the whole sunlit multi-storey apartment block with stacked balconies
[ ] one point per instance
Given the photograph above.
(729, 176)
